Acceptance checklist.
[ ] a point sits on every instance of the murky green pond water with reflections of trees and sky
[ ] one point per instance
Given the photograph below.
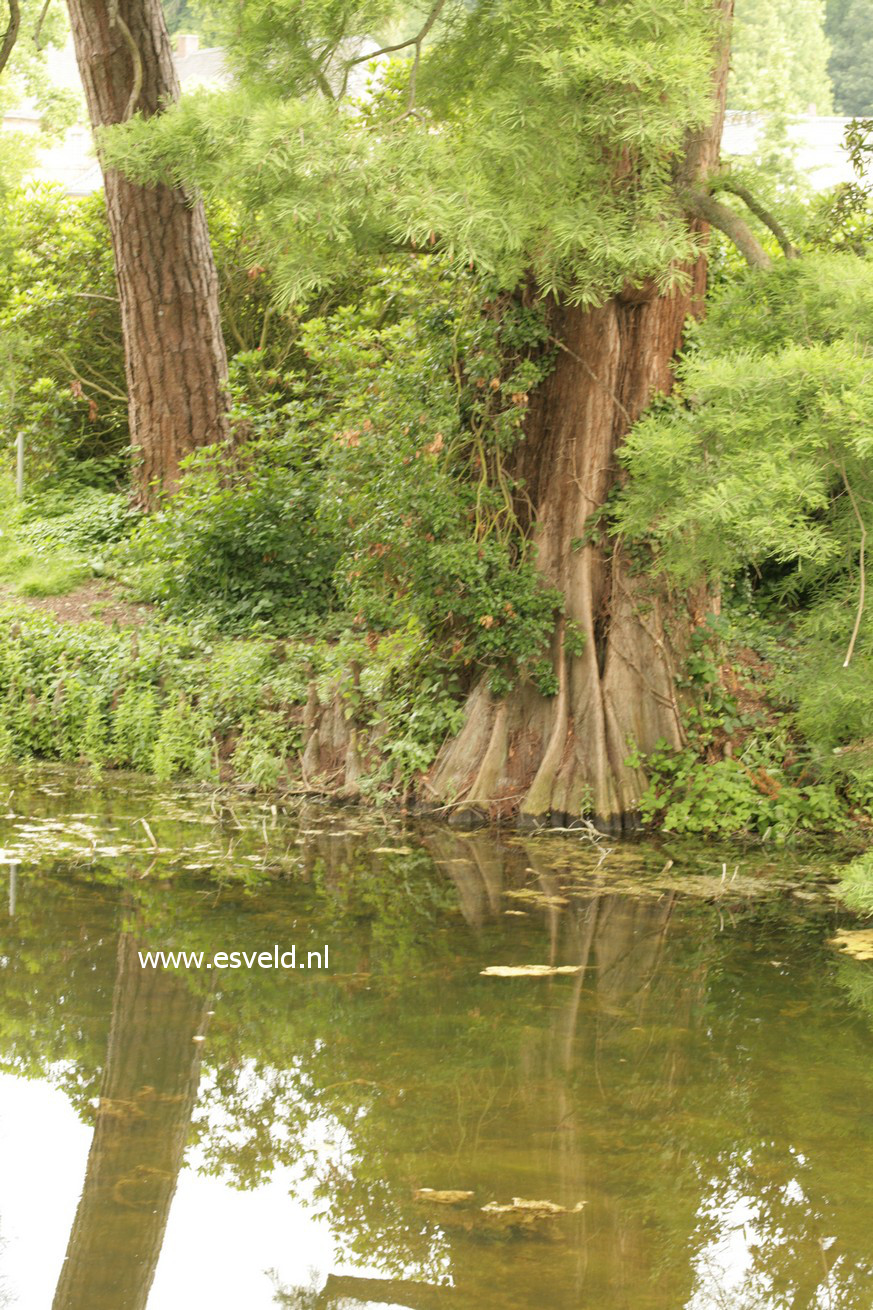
(694, 1097)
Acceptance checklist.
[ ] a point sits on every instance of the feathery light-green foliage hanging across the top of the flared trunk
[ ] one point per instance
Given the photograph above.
(533, 140)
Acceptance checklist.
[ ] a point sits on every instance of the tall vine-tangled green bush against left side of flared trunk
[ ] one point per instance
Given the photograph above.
(424, 395)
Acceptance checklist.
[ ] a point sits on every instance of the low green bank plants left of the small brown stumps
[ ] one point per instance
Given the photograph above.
(162, 700)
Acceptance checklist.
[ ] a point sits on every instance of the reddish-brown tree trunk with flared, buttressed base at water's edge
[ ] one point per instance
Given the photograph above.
(558, 759)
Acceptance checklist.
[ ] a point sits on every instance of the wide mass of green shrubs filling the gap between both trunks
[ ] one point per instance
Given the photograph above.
(372, 479)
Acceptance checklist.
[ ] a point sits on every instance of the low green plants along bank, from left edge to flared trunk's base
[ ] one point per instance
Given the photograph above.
(176, 702)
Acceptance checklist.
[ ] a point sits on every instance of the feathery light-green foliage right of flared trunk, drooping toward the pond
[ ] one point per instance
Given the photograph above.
(758, 471)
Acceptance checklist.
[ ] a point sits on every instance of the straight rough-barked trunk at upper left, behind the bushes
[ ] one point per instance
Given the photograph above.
(167, 281)
